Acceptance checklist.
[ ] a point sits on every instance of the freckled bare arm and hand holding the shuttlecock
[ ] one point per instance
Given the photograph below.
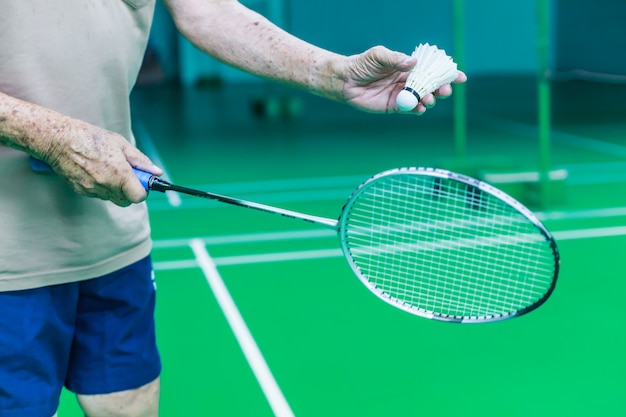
(241, 37)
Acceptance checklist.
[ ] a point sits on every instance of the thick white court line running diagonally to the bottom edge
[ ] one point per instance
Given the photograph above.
(255, 358)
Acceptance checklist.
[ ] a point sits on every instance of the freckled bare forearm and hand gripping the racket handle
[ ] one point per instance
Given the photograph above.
(94, 161)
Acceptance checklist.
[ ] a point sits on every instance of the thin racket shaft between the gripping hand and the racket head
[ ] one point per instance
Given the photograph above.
(152, 182)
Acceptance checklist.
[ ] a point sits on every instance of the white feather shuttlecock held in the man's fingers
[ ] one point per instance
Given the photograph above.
(433, 69)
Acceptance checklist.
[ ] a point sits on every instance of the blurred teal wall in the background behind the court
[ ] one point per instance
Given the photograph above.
(500, 37)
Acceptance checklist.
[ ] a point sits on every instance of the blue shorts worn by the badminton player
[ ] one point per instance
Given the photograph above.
(94, 337)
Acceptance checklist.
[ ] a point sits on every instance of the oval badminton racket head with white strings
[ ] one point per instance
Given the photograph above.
(448, 247)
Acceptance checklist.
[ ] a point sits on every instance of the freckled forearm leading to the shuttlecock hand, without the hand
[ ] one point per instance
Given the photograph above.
(241, 37)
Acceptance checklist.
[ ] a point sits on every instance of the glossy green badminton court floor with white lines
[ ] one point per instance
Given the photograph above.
(259, 315)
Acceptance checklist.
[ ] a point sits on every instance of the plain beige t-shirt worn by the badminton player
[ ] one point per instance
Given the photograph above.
(80, 58)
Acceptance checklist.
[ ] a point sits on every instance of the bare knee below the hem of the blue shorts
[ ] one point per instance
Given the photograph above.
(139, 402)
